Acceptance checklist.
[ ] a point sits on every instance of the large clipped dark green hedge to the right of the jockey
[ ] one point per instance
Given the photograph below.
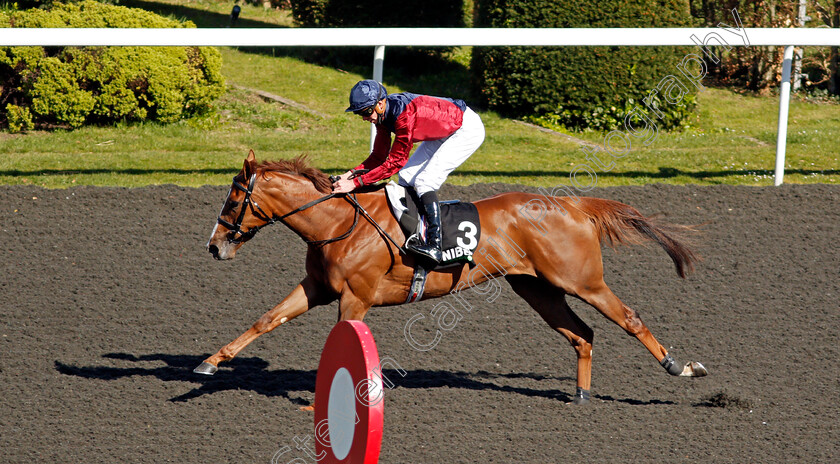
(577, 87)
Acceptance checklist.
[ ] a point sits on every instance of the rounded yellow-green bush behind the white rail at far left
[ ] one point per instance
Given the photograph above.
(72, 86)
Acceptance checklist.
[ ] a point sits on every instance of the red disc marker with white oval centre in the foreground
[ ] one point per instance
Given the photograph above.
(349, 406)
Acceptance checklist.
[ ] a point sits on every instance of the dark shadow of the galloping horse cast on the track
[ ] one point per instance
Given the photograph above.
(253, 374)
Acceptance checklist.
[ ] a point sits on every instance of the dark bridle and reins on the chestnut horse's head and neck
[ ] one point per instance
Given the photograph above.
(236, 235)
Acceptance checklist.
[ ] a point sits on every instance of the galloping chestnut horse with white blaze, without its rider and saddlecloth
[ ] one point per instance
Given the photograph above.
(545, 247)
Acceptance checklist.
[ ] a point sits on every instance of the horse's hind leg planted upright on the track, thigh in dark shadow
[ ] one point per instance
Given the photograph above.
(550, 303)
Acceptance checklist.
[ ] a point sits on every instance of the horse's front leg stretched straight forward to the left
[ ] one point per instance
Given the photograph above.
(304, 297)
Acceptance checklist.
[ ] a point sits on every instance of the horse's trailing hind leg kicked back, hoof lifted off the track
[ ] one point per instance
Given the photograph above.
(603, 299)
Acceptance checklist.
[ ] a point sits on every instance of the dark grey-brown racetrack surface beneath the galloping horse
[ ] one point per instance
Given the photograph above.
(110, 300)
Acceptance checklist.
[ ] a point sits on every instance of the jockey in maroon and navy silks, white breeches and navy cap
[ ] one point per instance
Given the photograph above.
(449, 131)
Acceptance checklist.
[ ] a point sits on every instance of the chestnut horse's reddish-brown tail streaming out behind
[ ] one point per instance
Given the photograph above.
(618, 223)
